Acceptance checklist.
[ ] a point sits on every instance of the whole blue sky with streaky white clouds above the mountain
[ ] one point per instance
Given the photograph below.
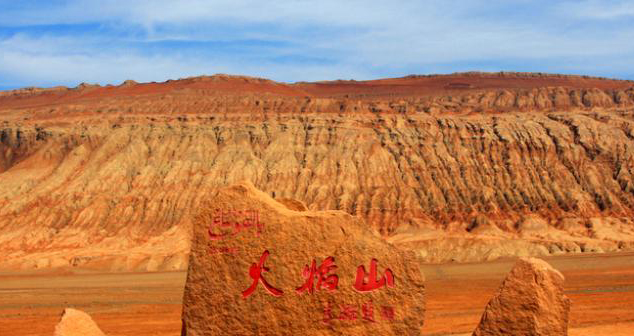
(65, 42)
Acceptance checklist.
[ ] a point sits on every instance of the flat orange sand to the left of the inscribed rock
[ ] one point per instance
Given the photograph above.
(122, 304)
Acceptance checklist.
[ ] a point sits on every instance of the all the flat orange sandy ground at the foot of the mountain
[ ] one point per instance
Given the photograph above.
(601, 288)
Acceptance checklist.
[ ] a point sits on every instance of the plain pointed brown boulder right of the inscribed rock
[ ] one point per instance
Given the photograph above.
(529, 302)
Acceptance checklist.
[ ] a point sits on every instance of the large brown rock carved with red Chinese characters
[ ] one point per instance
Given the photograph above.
(334, 300)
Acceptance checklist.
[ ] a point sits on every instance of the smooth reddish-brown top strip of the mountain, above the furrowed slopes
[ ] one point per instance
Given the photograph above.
(346, 89)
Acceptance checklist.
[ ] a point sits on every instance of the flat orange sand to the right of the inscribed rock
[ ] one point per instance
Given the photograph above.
(601, 288)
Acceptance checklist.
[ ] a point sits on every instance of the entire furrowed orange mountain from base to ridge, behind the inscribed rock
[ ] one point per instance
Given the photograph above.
(109, 177)
